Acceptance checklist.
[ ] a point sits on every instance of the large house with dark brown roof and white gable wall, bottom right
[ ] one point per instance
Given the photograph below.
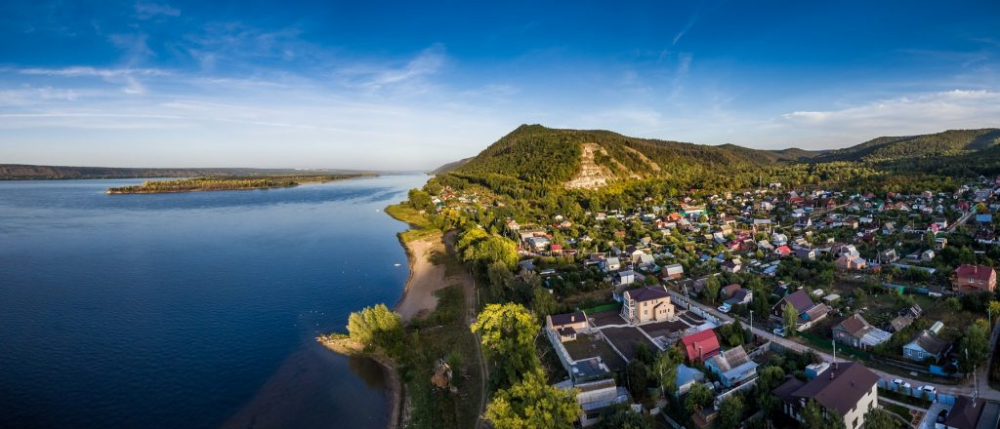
(847, 389)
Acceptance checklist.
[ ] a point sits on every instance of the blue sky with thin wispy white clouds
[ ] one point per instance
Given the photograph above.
(411, 85)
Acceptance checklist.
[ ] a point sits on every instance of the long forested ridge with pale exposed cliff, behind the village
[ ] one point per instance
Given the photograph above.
(535, 162)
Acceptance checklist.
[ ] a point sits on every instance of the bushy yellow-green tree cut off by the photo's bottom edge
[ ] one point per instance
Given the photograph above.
(532, 403)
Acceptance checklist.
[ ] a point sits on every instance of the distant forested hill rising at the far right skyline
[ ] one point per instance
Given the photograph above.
(948, 143)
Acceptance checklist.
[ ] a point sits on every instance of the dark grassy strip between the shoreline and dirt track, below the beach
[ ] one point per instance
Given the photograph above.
(443, 334)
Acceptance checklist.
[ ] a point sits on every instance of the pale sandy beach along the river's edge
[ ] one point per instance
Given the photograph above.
(425, 277)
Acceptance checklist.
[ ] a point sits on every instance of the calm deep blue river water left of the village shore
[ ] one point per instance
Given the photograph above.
(191, 310)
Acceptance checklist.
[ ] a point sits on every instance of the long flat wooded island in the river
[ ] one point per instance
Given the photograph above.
(229, 183)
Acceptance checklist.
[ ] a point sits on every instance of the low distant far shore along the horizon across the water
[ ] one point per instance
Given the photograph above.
(38, 172)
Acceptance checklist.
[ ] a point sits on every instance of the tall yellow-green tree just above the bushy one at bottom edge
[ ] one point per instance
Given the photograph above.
(508, 335)
